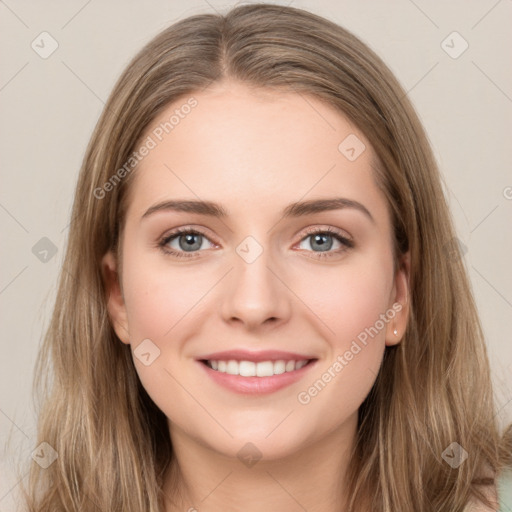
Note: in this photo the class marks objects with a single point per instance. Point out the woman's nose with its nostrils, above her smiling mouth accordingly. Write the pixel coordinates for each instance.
(255, 293)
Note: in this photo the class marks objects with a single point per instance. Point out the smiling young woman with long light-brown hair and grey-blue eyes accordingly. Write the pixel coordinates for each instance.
(261, 367)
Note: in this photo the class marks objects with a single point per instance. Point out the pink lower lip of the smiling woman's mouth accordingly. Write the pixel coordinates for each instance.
(256, 385)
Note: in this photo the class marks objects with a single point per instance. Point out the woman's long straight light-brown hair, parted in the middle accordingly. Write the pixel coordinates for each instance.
(433, 389)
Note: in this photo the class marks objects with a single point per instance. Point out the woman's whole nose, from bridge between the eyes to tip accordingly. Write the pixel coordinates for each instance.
(255, 294)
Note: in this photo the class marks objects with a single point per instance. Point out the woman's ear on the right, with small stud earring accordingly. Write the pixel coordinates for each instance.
(399, 302)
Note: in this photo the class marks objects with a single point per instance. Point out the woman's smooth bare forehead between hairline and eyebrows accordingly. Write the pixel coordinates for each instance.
(254, 148)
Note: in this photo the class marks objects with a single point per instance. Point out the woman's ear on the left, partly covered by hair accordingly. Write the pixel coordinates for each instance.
(115, 300)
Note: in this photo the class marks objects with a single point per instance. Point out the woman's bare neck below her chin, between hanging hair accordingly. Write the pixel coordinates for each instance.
(201, 479)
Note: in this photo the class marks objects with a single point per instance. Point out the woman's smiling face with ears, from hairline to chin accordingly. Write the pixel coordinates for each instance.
(318, 284)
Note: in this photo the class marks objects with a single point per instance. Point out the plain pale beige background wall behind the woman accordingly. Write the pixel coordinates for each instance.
(50, 106)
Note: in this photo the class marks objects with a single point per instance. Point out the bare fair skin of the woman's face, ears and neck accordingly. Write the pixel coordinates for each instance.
(255, 152)
